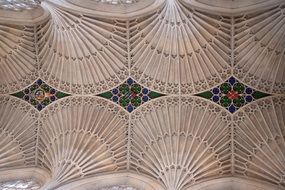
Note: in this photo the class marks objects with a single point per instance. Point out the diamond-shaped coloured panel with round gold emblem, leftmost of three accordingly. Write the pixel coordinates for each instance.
(40, 94)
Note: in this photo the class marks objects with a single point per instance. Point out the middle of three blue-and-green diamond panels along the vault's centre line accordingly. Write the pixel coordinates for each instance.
(130, 95)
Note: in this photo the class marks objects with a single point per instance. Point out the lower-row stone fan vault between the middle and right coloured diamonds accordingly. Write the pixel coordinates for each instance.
(180, 142)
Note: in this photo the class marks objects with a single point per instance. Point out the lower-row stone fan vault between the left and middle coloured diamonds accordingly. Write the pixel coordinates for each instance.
(82, 136)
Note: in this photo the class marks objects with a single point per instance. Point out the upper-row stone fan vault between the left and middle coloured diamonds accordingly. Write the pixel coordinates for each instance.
(94, 50)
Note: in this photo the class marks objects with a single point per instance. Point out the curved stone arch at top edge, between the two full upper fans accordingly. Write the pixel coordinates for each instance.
(120, 9)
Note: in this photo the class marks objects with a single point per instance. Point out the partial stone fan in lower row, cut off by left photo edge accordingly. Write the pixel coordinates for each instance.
(17, 136)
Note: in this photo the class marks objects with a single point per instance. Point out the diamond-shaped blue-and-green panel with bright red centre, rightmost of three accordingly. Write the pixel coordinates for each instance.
(232, 94)
